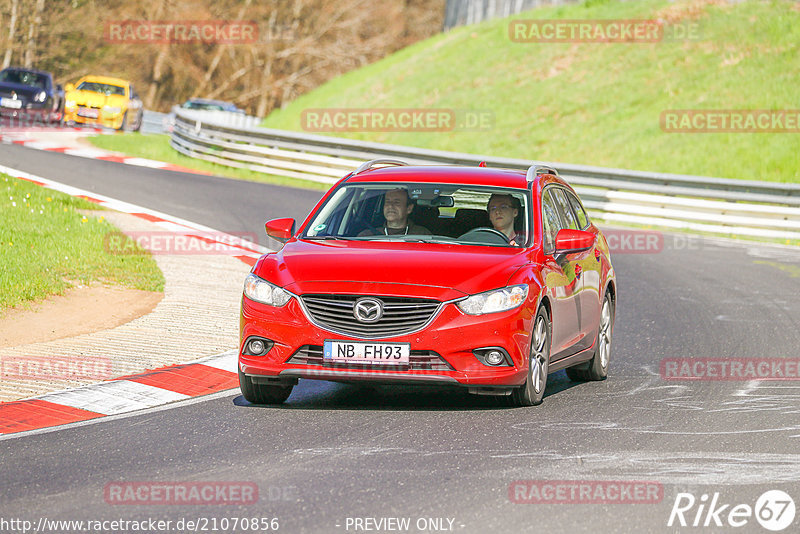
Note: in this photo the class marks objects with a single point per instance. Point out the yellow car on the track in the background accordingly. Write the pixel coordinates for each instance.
(105, 101)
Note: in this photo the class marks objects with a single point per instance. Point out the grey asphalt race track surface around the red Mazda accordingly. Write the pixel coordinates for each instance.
(341, 458)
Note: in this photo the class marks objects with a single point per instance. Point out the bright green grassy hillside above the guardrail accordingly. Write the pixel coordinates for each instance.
(596, 103)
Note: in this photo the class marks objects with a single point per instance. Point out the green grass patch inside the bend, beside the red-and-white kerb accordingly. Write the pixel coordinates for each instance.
(46, 244)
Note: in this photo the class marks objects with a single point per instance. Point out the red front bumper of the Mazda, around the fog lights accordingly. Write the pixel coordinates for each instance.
(451, 334)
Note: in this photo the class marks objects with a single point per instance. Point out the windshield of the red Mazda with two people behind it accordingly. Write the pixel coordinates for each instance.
(426, 212)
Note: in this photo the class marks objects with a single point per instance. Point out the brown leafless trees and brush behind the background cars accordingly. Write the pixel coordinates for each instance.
(301, 44)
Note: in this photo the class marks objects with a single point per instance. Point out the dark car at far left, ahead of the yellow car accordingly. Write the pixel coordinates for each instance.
(31, 94)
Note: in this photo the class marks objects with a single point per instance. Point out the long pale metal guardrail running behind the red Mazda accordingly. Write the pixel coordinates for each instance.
(721, 206)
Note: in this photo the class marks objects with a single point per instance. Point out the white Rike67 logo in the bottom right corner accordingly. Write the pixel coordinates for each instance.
(774, 510)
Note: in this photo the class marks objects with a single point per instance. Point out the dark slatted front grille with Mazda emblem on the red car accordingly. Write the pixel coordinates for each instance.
(400, 315)
